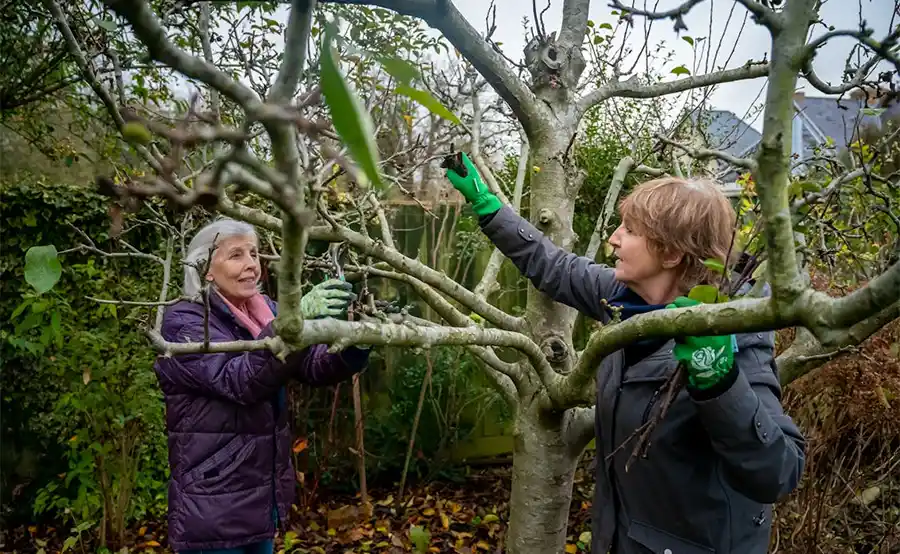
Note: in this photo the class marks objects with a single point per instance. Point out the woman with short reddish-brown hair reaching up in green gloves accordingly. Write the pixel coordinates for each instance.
(725, 452)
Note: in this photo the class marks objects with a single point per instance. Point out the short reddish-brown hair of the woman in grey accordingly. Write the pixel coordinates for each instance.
(692, 217)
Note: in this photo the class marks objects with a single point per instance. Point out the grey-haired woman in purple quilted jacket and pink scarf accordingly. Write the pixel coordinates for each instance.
(229, 442)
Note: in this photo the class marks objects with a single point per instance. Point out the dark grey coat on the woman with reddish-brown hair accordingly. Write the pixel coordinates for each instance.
(715, 465)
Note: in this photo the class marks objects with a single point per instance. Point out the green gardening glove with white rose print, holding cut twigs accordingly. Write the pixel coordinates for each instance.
(708, 359)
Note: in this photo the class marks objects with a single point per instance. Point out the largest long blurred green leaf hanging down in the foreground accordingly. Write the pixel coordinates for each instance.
(349, 116)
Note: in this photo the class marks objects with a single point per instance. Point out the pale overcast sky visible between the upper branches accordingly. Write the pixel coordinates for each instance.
(753, 43)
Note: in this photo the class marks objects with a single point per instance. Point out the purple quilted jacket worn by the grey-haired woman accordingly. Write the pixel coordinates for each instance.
(229, 440)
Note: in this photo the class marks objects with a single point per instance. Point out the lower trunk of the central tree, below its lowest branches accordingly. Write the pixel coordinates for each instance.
(543, 472)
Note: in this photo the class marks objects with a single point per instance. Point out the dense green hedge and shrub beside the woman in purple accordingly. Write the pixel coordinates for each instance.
(83, 422)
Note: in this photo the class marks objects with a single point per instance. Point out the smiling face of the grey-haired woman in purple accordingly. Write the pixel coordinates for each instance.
(235, 267)
